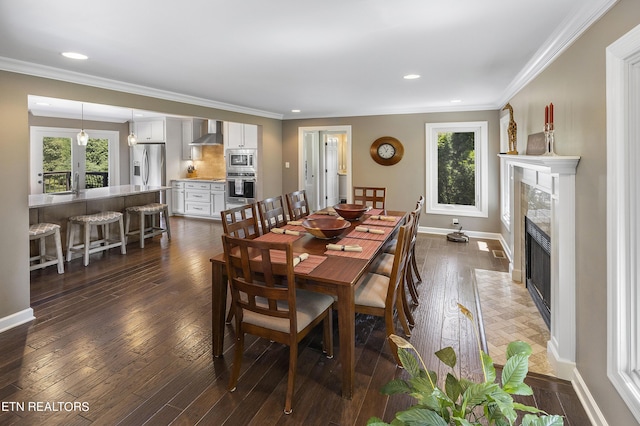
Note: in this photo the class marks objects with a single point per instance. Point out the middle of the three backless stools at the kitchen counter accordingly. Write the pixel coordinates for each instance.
(103, 242)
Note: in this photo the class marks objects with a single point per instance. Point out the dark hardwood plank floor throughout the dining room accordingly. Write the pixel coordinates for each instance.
(128, 340)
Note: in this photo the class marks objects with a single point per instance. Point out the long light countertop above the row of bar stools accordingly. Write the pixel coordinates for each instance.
(45, 200)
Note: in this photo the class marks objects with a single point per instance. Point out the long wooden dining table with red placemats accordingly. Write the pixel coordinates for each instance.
(330, 271)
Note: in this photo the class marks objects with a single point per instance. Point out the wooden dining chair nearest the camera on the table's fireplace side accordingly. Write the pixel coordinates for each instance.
(381, 295)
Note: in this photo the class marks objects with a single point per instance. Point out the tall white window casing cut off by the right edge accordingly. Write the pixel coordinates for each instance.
(623, 209)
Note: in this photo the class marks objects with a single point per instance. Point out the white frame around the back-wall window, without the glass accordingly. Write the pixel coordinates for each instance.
(481, 138)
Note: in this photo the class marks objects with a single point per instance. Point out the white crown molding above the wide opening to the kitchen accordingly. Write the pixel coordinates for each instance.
(37, 70)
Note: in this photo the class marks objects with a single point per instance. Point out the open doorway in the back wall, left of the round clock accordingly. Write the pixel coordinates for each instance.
(325, 164)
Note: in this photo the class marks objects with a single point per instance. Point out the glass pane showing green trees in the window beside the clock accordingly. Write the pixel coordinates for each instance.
(456, 168)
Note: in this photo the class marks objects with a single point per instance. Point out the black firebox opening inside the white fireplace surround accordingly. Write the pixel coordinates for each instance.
(538, 268)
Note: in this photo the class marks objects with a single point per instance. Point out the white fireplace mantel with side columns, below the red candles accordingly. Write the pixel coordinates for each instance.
(556, 176)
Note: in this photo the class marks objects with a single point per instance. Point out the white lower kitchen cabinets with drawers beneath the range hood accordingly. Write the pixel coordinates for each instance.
(191, 197)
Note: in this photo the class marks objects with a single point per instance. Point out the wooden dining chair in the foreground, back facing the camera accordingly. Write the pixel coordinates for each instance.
(280, 313)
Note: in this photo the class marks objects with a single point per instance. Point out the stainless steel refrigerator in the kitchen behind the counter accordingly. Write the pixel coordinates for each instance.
(148, 164)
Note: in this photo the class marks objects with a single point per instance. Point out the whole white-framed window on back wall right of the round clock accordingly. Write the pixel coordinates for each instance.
(457, 165)
